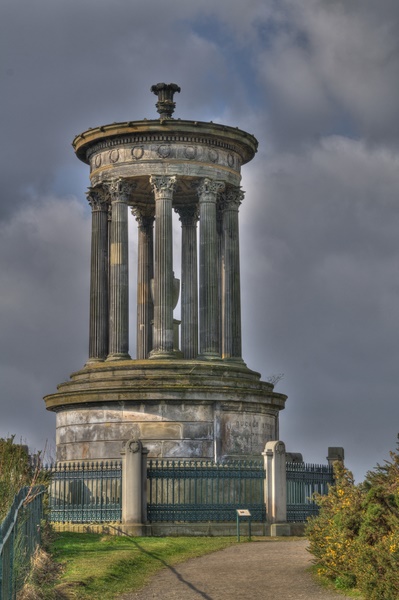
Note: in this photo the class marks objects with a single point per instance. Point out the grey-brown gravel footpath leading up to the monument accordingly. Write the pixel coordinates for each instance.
(260, 570)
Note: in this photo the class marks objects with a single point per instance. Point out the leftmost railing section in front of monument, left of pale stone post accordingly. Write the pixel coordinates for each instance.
(85, 492)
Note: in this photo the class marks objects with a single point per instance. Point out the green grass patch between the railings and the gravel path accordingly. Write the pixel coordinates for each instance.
(98, 566)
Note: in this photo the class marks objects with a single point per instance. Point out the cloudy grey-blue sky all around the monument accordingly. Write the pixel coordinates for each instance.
(317, 82)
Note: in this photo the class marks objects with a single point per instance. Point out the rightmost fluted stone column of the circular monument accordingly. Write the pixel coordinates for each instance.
(231, 296)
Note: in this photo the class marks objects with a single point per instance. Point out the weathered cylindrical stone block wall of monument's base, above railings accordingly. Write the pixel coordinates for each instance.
(166, 429)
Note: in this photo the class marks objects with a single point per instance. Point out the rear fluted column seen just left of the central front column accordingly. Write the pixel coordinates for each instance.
(145, 273)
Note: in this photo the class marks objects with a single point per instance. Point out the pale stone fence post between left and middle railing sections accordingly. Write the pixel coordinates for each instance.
(132, 484)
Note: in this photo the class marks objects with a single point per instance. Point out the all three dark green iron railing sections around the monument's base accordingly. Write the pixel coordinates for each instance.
(181, 490)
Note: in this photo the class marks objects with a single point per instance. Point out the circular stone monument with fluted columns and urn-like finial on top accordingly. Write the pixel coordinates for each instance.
(190, 399)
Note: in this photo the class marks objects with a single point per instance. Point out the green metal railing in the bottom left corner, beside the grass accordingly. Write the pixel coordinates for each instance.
(19, 537)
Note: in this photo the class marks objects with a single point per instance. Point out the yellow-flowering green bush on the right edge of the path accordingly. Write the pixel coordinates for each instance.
(355, 538)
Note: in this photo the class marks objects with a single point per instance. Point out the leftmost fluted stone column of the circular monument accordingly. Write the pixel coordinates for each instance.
(98, 327)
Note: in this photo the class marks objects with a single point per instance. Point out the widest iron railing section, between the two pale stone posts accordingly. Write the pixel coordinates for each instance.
(201, 490)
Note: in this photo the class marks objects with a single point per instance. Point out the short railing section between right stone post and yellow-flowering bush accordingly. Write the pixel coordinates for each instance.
(303, 481)
